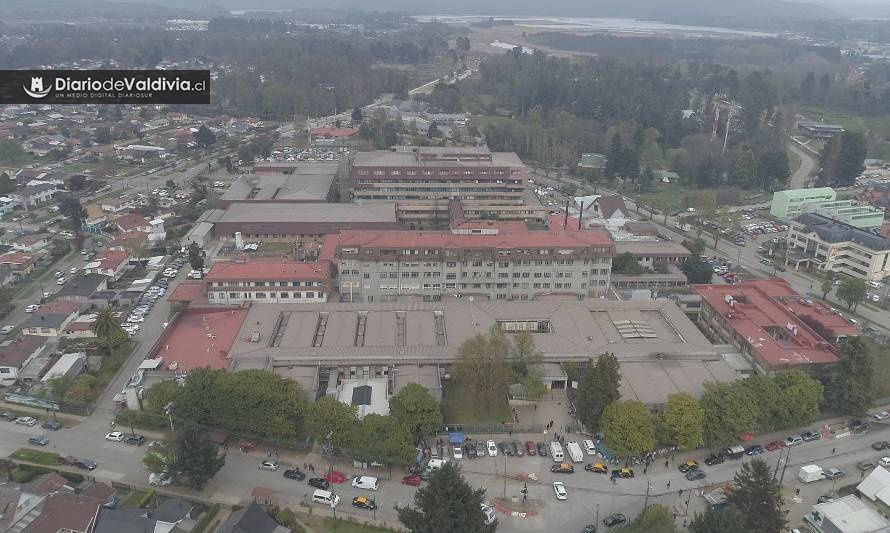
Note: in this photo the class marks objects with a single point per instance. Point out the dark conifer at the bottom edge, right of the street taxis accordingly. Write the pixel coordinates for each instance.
(758, 497)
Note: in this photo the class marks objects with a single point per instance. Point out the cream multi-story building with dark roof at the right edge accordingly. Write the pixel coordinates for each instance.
(832, 246)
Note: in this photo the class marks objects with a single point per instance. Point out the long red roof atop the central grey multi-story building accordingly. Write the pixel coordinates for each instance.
(505, 240)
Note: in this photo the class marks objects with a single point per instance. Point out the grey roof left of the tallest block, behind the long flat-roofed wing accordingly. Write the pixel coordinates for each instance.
(309, 181)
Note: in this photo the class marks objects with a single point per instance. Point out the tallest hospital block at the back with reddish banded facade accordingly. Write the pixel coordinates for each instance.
(423, 180)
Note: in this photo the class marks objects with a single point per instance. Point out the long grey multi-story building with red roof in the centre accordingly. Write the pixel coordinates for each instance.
(514, 264)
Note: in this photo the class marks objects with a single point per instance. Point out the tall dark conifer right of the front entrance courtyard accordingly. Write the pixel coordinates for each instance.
(597, 389)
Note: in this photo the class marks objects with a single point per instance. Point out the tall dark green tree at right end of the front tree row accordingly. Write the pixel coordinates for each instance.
(851, 387)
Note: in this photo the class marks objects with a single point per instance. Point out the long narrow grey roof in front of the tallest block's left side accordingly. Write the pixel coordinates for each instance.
(319, 213)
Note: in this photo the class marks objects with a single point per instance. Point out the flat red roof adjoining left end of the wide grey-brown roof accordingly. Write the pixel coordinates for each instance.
(200, 338)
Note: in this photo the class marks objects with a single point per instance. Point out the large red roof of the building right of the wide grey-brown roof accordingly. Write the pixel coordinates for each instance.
(764, 313)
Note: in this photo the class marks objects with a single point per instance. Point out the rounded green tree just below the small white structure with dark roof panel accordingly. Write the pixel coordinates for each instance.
(384, 439)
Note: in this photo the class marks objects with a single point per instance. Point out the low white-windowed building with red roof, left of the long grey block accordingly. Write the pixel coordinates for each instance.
(269, 281)
